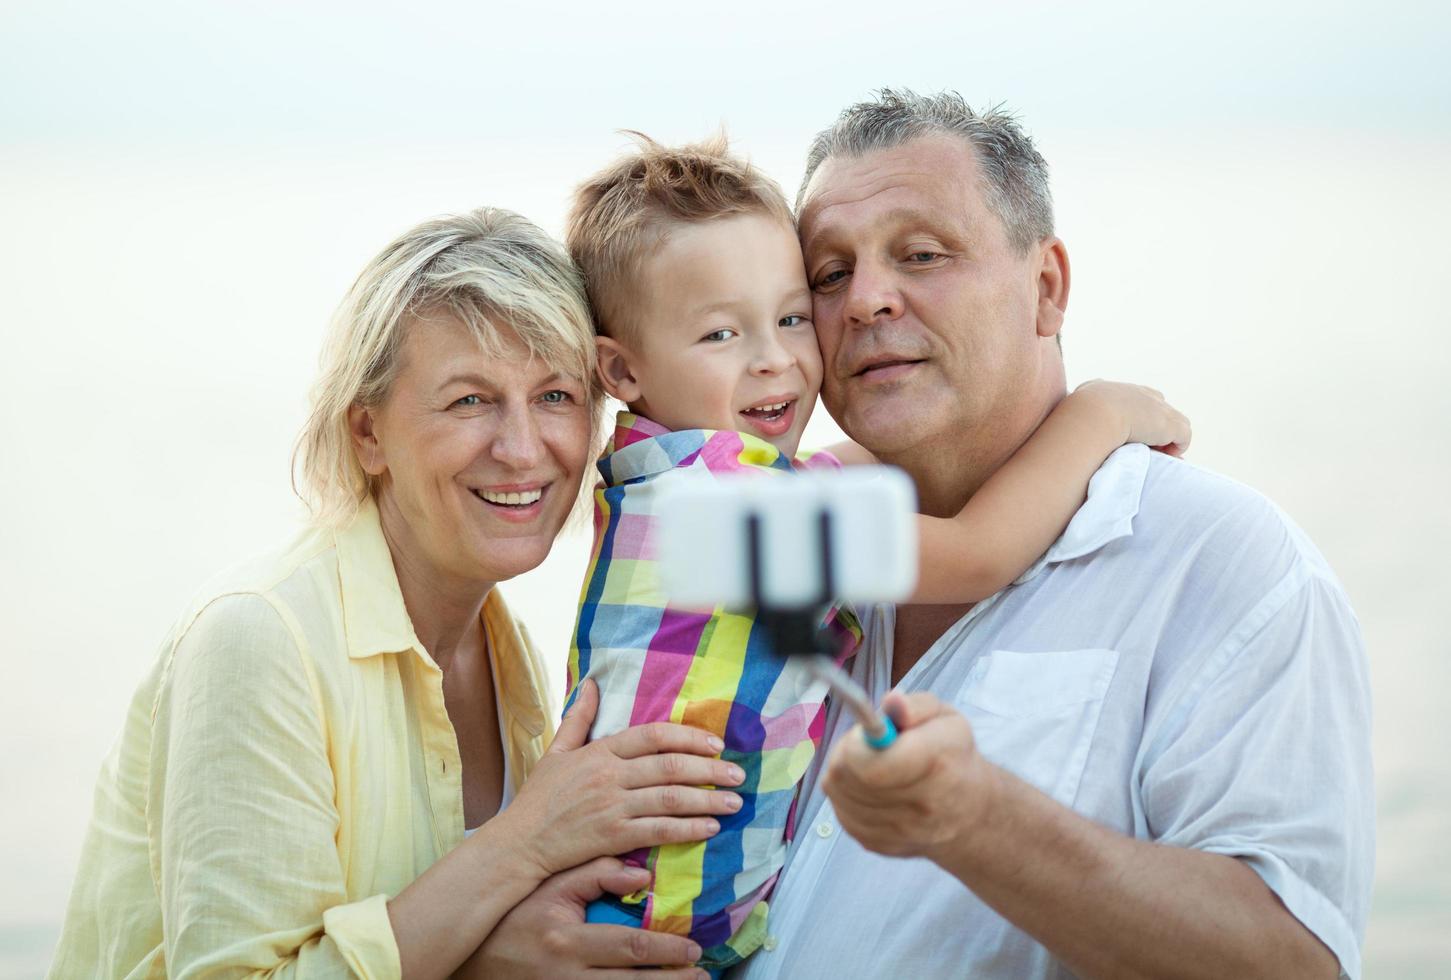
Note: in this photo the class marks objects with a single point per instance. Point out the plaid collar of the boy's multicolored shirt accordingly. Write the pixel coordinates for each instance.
(641, 449)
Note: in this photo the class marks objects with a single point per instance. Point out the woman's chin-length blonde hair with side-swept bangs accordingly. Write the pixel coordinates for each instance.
(491, 271)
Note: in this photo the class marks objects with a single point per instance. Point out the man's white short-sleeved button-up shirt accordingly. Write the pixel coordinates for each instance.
(1180, 667)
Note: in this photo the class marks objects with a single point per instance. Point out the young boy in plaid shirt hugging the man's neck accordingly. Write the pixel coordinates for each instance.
(704, 320)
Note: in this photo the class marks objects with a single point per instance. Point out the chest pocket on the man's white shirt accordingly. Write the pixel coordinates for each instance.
(1035, 714)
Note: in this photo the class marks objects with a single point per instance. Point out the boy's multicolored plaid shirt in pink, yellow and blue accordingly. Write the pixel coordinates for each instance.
(716, 671)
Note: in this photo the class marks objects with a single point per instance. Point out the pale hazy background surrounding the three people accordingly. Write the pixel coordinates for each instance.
(1254, 197)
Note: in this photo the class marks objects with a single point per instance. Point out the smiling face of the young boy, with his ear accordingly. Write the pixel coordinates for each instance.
(722, 336)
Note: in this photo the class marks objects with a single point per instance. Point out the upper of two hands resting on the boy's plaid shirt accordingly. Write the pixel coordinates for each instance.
(632, 791)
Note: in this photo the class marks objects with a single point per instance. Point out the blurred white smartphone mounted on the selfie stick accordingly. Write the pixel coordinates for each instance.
(792, 542)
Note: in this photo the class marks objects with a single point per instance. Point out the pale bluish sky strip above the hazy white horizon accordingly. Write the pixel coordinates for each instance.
(186, 72)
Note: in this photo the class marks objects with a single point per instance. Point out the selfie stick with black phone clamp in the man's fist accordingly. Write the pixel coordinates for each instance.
(794, 634)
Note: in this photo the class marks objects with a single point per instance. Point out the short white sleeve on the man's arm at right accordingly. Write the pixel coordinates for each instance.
(1267, 759)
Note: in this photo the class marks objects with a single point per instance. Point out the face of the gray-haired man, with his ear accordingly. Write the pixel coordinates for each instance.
(928, 317)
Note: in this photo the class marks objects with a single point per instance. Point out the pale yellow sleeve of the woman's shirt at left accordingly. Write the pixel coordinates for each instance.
(242, 815)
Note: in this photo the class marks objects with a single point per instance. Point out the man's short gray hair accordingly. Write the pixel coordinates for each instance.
(1015, 173)
